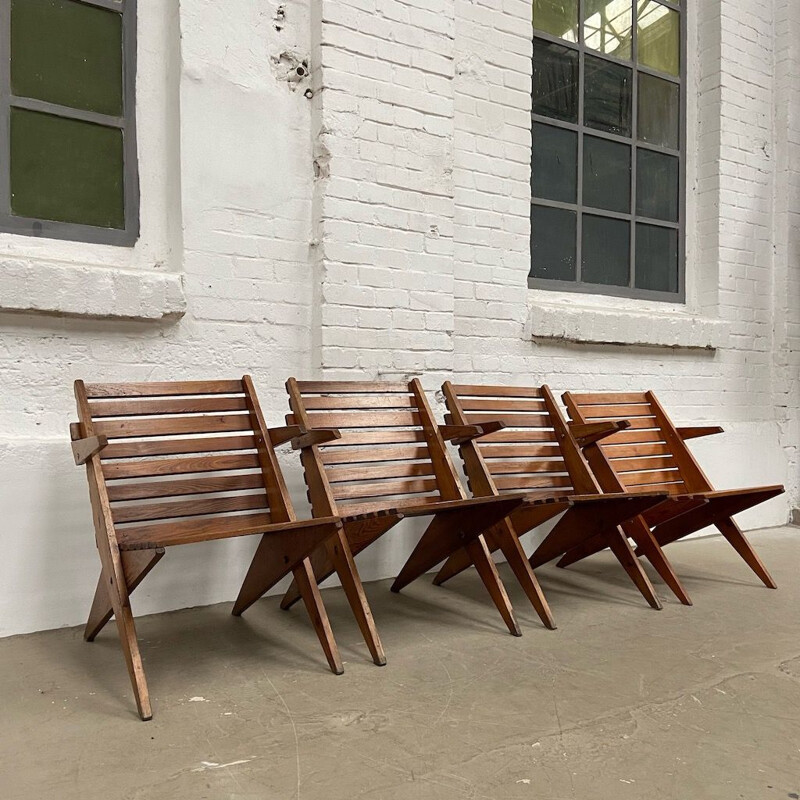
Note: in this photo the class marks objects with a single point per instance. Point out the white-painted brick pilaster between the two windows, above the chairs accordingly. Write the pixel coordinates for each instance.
(386, 222)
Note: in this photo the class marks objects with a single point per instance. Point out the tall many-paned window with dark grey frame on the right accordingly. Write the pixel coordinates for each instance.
(607, 167)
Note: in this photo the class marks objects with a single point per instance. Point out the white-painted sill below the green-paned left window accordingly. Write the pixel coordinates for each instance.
(51, 287)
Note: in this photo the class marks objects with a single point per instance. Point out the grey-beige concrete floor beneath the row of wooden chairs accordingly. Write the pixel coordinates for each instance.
(620, 702)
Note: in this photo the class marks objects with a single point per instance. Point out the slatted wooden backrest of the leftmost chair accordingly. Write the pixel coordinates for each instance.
(185, 461)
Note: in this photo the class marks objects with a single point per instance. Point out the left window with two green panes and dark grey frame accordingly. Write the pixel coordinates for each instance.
(67, 119)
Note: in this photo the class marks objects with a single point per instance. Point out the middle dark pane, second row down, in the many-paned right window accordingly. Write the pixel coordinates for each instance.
(607, 96)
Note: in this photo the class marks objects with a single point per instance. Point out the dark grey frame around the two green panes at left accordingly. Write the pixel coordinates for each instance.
(73, 231)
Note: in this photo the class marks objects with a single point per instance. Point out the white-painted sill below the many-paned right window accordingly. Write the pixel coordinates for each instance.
(644, 327)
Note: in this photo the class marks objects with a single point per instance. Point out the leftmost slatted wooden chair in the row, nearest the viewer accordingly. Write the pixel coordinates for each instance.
(178, 463)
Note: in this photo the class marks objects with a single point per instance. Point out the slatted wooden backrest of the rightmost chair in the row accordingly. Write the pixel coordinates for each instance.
(650, 455)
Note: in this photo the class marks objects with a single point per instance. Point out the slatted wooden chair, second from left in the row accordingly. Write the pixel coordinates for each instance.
(391, 462)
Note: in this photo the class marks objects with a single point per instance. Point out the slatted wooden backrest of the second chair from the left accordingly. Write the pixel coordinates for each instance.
(390, 455)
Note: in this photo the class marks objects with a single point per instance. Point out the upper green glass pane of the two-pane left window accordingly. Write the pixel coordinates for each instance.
(67, 53)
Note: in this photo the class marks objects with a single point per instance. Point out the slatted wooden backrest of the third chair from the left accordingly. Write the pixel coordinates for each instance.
(533, 453)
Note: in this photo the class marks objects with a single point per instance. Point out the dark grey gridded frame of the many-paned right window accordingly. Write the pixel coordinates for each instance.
(629, 291)
